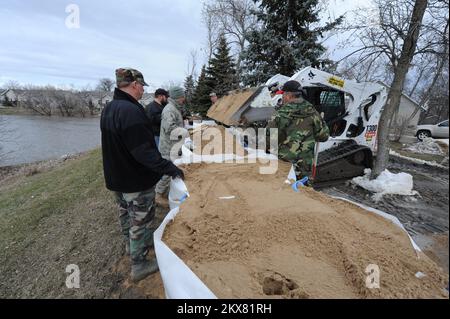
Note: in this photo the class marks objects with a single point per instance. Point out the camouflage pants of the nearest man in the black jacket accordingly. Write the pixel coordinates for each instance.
(136, 214)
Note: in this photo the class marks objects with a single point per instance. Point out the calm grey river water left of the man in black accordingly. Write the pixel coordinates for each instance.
(26, 139)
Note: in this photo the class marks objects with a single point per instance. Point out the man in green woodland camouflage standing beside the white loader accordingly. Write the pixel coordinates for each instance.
(300, 126)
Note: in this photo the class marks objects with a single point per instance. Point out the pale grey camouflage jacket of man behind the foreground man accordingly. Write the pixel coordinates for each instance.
(171, 119)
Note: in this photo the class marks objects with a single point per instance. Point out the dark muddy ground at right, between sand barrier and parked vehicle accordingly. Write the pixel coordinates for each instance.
(425, 217)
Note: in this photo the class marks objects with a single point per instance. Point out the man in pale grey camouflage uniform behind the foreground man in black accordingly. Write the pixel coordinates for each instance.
(171, 124)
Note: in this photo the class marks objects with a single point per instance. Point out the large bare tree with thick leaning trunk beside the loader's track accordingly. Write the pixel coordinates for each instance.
(401, 36)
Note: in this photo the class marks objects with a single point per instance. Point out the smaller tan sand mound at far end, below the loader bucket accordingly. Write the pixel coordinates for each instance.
(212, 140)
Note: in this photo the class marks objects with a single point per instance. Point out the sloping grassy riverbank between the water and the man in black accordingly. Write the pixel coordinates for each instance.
(55, 214)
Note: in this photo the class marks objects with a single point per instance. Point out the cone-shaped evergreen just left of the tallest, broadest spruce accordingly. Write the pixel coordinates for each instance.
(222, 70)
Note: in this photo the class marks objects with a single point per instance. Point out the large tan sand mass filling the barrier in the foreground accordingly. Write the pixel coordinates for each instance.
(271, 242)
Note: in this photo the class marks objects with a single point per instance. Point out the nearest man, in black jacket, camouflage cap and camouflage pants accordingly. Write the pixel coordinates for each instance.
(132, 166)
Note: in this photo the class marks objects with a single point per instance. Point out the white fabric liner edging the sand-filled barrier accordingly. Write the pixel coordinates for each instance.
(180, 282)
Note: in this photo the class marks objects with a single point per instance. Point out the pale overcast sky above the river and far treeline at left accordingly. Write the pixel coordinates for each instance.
(155, 37)
